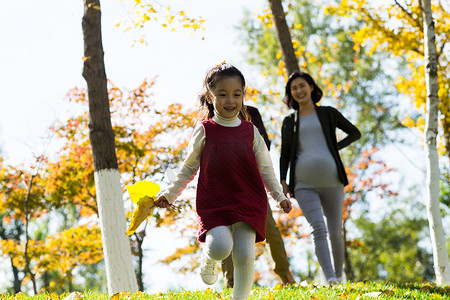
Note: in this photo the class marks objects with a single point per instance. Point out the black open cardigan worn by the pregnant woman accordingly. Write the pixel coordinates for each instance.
(330, 119)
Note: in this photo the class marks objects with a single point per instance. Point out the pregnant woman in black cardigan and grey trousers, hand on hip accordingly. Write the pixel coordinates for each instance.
(310, 150)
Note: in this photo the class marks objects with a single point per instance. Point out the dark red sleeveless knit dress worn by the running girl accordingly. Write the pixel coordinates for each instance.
(230, 188)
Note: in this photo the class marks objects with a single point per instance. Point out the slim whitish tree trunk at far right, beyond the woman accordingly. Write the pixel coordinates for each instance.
(440, 255)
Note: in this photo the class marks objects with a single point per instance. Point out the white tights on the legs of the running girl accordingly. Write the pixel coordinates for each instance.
(240, 239)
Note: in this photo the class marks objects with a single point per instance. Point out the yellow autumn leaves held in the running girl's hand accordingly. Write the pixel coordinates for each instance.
(142, 193)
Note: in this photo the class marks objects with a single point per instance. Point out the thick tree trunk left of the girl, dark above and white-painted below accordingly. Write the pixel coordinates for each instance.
(116, 245)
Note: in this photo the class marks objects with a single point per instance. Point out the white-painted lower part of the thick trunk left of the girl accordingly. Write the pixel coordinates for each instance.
(116, 245)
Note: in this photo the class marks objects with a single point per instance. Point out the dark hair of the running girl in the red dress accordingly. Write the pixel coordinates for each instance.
(212, 77)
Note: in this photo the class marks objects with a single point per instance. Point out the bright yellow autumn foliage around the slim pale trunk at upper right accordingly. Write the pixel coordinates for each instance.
(396, 27)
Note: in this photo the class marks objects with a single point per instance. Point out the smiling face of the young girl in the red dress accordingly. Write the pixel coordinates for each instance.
(227, 96)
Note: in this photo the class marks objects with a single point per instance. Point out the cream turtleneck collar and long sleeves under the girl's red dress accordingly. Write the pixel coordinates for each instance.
(191, 163)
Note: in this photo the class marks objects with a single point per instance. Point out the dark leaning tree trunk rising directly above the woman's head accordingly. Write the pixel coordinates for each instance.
(284, 37)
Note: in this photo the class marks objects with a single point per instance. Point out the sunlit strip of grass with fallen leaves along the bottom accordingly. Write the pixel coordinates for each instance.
(353, 290)
